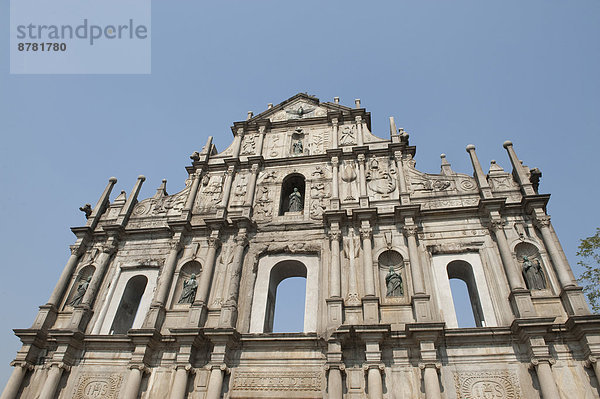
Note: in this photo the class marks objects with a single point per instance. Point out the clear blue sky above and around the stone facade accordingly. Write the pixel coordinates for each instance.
(451, 73)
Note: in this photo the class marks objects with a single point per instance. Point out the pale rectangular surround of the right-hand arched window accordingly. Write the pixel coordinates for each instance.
(466, 267)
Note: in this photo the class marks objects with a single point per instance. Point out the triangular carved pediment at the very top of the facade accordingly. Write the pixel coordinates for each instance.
(300, 106)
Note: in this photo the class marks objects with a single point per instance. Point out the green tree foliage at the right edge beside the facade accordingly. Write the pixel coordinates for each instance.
(589, 250)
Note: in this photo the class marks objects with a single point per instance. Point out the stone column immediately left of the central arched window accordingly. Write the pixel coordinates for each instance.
(228, 315)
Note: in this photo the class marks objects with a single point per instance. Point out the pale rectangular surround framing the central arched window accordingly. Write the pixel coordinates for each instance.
(286, 265)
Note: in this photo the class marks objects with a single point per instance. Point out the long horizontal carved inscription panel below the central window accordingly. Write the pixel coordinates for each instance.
(278, 381)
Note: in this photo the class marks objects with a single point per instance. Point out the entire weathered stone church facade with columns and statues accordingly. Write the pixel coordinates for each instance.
(173, 296)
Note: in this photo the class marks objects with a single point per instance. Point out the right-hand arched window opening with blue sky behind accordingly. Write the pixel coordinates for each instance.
(463, 293)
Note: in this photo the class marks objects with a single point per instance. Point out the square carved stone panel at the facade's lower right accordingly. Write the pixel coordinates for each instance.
(487, 385)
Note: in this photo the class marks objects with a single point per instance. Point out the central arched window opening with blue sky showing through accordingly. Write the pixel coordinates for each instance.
(288, 303)
